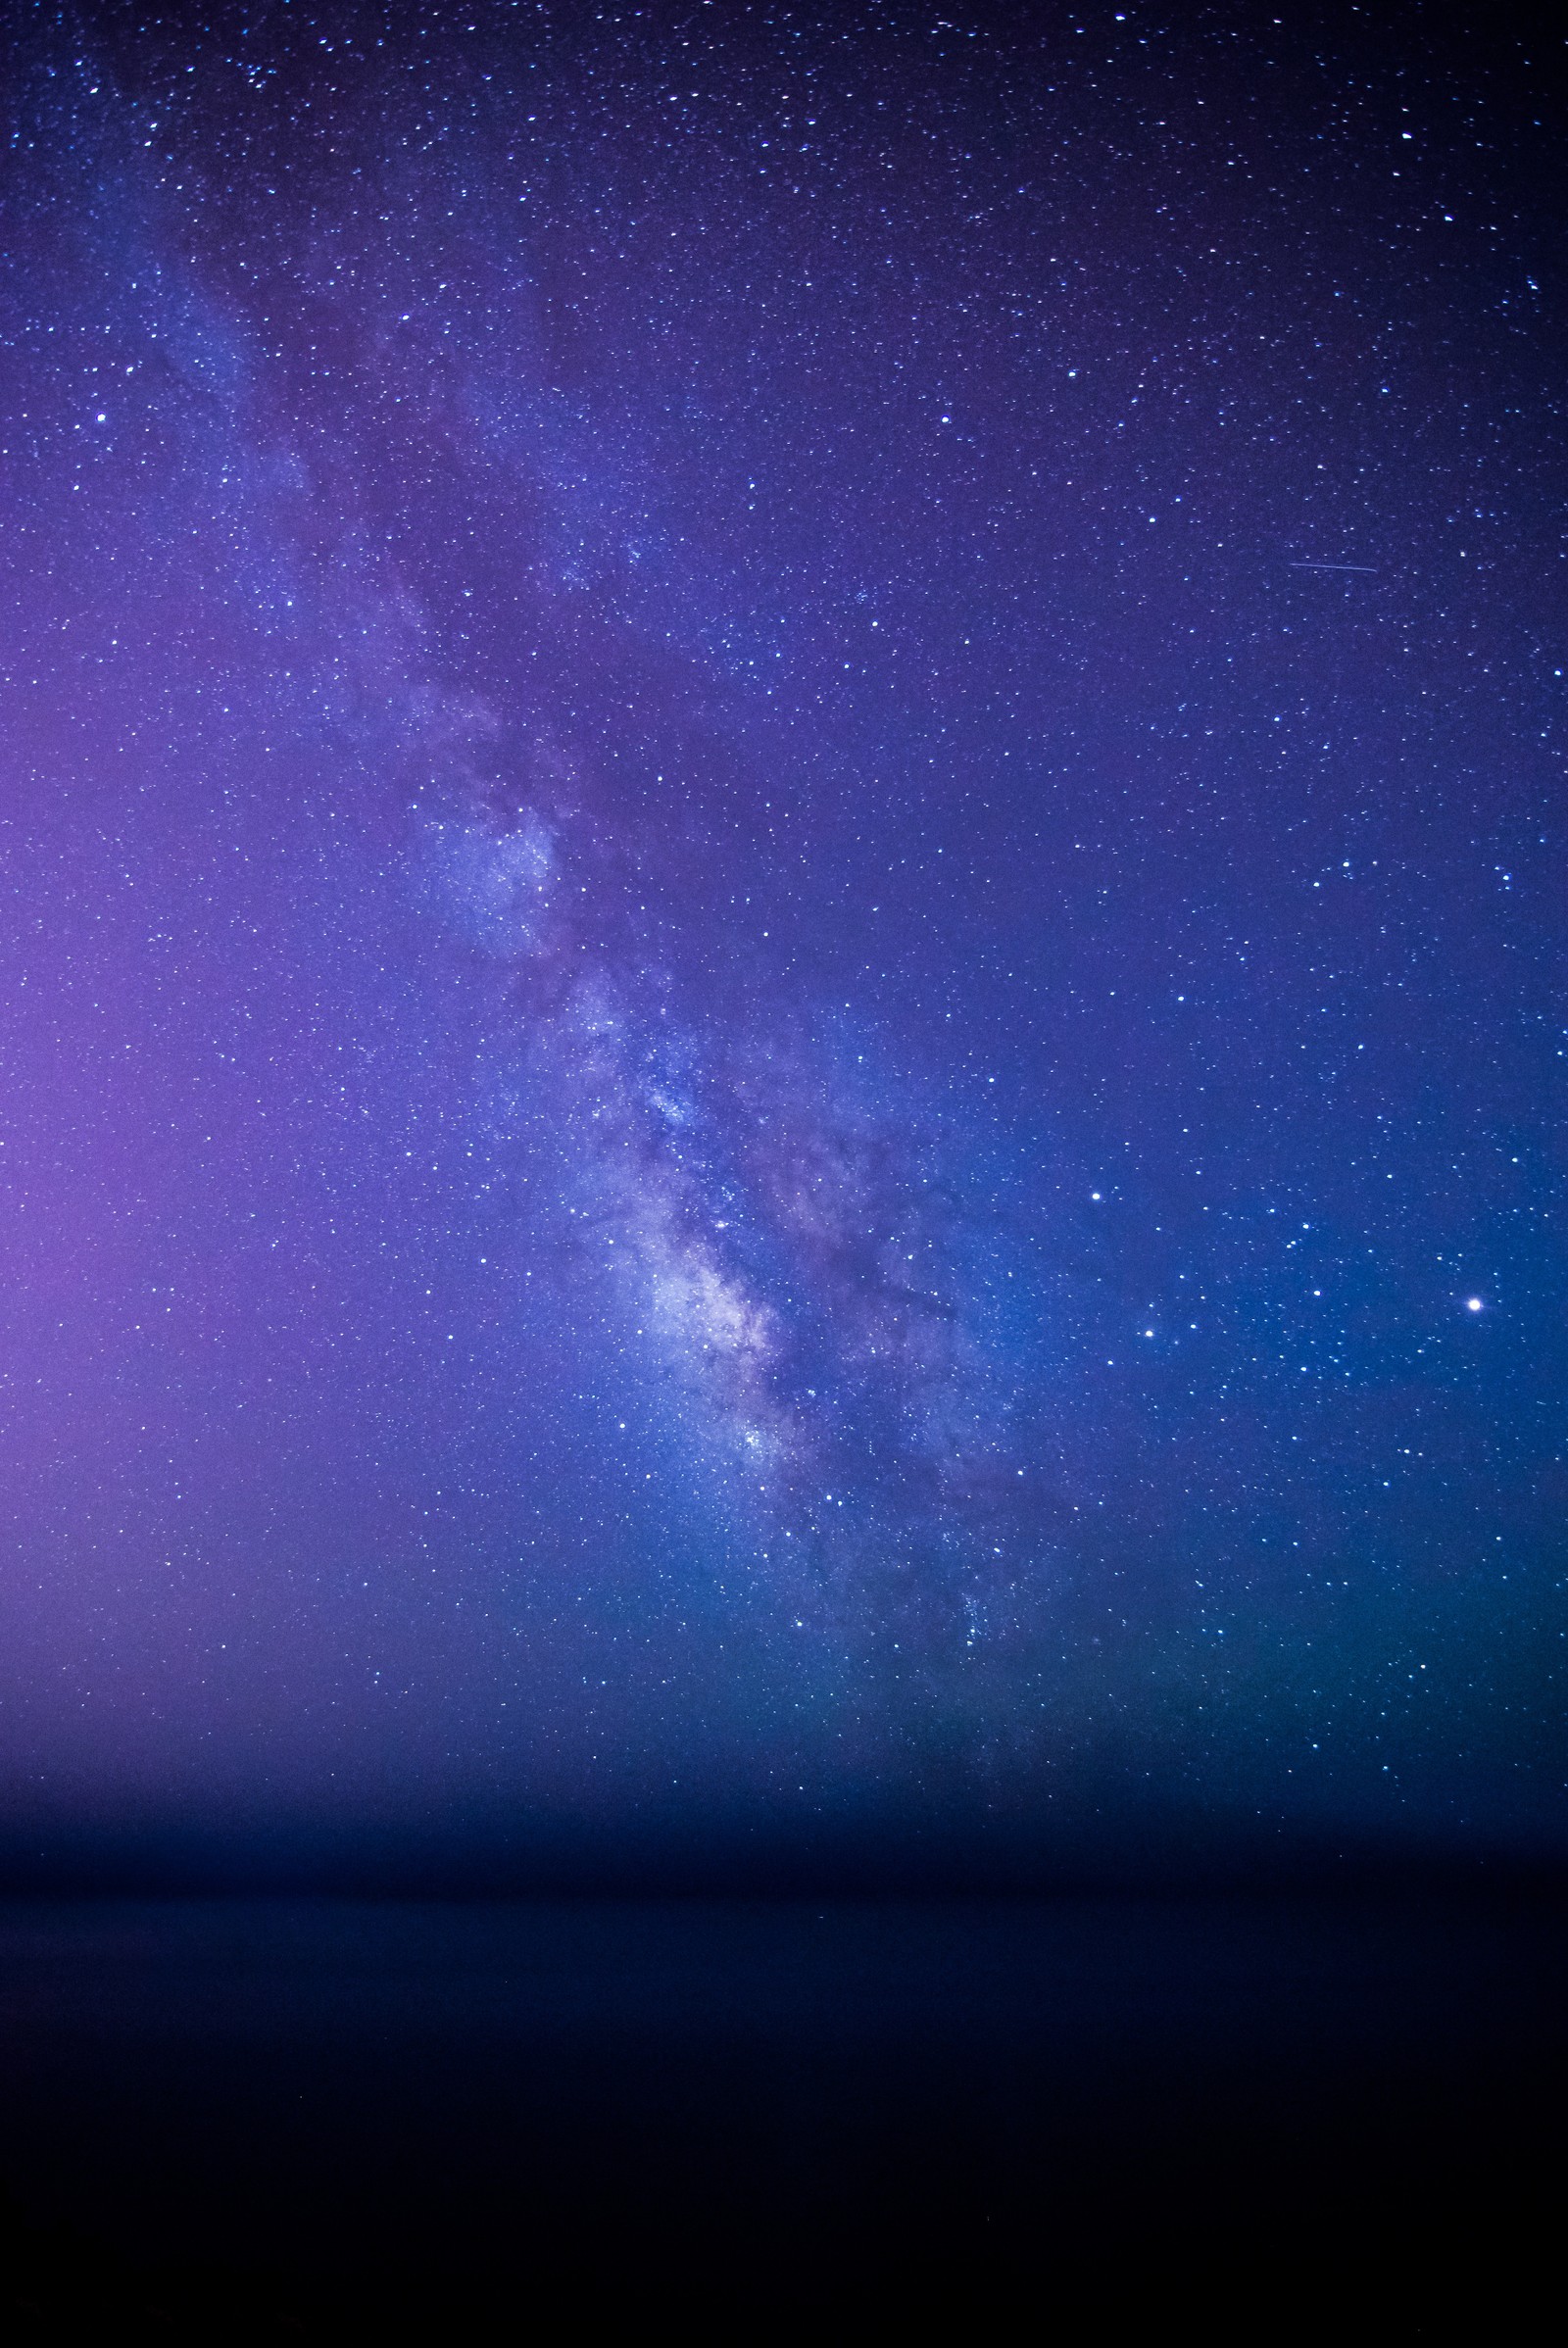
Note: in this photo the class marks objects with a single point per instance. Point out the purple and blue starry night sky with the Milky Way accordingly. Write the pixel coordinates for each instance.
(780, 863)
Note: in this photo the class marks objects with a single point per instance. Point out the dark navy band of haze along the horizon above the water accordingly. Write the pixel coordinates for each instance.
(1100, 1854)
